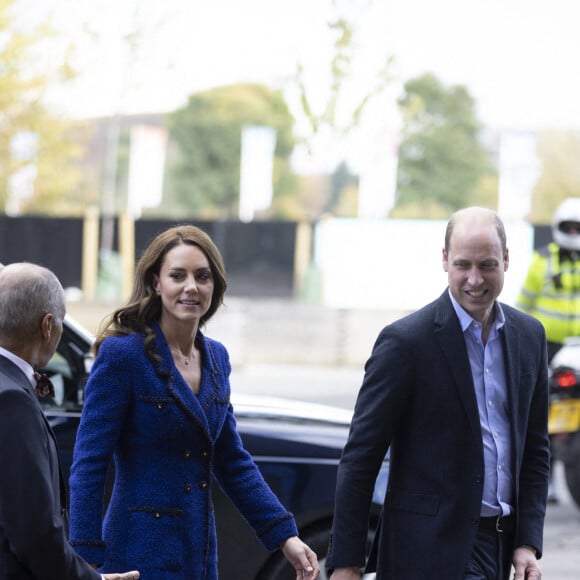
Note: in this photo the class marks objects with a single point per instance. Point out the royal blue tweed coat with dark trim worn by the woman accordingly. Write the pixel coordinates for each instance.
(167, 444)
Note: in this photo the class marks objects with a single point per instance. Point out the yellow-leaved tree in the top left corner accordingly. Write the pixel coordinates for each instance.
(39, 176)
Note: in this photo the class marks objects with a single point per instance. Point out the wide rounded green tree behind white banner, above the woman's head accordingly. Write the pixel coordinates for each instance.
(203, 164)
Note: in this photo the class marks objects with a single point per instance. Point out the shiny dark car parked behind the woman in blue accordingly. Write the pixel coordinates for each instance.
(296, 445)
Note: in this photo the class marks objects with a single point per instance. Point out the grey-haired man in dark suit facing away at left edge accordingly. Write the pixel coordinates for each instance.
(33, 521)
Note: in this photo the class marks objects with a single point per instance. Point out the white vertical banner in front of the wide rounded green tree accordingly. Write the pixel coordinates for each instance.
(256, 169)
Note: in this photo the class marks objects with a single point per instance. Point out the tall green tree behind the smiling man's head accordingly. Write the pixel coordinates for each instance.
(442, 162)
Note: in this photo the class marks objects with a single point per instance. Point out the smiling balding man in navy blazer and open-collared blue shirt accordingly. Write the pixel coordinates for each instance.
(457, 391)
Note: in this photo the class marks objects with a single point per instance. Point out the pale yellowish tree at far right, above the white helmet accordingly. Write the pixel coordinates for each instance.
(559, 152)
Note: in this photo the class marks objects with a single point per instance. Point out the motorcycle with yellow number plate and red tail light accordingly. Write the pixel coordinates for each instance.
(564, 417)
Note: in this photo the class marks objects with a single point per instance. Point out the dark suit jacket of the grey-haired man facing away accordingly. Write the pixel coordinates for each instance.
(33, 543)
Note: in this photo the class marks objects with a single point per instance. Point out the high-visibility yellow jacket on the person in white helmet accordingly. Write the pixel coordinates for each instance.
(551, 293)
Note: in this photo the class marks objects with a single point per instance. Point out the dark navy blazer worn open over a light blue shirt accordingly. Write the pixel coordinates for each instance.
(418, 399)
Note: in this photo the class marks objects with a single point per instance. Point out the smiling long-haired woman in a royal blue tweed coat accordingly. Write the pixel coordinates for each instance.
(158, 402)
